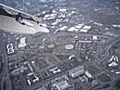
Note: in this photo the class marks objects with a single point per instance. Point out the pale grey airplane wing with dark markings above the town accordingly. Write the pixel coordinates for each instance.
(15, 21)
